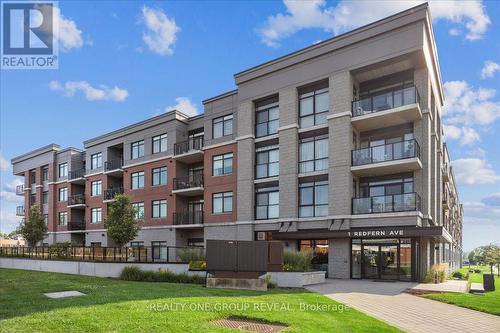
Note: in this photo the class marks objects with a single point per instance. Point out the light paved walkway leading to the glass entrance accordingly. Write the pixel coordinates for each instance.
(388, 302)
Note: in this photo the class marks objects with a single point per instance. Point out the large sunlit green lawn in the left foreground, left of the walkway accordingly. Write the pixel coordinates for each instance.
(125, 306)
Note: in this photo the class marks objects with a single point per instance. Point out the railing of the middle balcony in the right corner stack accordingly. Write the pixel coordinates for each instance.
(389, 152)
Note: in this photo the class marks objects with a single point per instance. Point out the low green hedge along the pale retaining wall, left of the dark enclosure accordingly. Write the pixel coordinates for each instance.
(132, 273)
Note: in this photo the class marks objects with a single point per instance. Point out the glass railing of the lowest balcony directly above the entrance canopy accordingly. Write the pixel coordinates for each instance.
(386, 204)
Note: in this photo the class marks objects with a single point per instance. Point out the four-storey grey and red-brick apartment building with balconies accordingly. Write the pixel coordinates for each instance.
(336, 148)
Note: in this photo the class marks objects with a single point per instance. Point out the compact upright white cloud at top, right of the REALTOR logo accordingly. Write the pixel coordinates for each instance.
(162, 31)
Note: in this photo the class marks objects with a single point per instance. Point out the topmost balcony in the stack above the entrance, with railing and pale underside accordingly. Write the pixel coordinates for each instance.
(389, 108)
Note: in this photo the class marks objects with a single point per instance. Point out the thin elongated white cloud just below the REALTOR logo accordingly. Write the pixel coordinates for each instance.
(102, 92)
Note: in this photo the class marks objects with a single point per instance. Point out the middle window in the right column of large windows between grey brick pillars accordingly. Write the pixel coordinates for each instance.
(313, 154)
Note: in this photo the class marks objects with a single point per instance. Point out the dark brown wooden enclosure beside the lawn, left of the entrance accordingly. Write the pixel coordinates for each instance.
(243, 259)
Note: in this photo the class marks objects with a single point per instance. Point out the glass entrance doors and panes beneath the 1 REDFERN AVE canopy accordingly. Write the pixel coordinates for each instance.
(384, 259)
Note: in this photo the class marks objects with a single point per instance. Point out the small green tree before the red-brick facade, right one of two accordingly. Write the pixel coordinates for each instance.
(120, 222)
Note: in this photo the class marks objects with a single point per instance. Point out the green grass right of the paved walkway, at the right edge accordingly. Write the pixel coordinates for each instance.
(489, 302)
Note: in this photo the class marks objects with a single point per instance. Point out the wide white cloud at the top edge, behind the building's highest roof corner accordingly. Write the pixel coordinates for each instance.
(347, 15)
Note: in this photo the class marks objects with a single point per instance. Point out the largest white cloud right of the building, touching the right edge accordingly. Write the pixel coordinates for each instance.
(466, 105)
